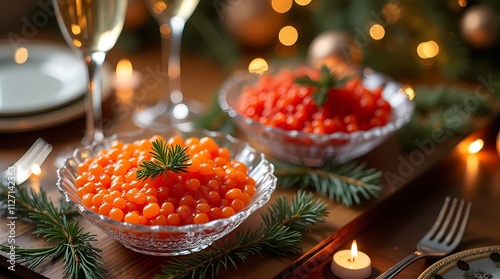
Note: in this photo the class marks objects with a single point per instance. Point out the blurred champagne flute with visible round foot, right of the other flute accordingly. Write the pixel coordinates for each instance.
(171, 109)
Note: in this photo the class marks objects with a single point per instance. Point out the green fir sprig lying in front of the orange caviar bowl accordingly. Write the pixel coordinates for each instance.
(280, 235)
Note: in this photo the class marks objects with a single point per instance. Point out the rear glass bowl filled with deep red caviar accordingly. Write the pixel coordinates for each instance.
(285, 118)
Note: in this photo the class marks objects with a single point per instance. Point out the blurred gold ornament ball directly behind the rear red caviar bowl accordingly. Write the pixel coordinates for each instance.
(332, 47)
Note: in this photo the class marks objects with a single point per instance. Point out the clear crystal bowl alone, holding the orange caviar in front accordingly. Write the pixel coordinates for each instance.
(171, 240)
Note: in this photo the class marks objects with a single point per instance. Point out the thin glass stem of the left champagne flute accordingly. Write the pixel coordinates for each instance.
(94, 130)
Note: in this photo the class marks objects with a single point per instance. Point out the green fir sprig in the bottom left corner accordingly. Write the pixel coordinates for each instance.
(80, 258)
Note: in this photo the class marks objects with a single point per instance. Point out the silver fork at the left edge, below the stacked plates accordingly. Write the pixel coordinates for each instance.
(21, 170)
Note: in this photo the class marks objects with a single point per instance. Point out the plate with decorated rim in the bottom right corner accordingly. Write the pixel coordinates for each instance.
(475, 263)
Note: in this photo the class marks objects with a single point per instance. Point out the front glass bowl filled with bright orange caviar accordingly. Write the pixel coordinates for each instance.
(226, 180)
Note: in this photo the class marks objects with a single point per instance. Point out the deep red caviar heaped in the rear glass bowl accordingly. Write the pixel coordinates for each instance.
(280, 102)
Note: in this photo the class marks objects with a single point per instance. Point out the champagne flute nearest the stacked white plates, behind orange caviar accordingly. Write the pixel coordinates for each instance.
(92, 28)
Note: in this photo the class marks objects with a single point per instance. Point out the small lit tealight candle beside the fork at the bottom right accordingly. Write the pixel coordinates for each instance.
(351, 264)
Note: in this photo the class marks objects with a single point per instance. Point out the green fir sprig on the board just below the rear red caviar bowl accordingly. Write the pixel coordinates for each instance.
(340, 182)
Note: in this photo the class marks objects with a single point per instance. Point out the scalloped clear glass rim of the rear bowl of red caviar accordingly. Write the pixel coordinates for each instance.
(402, 112)
